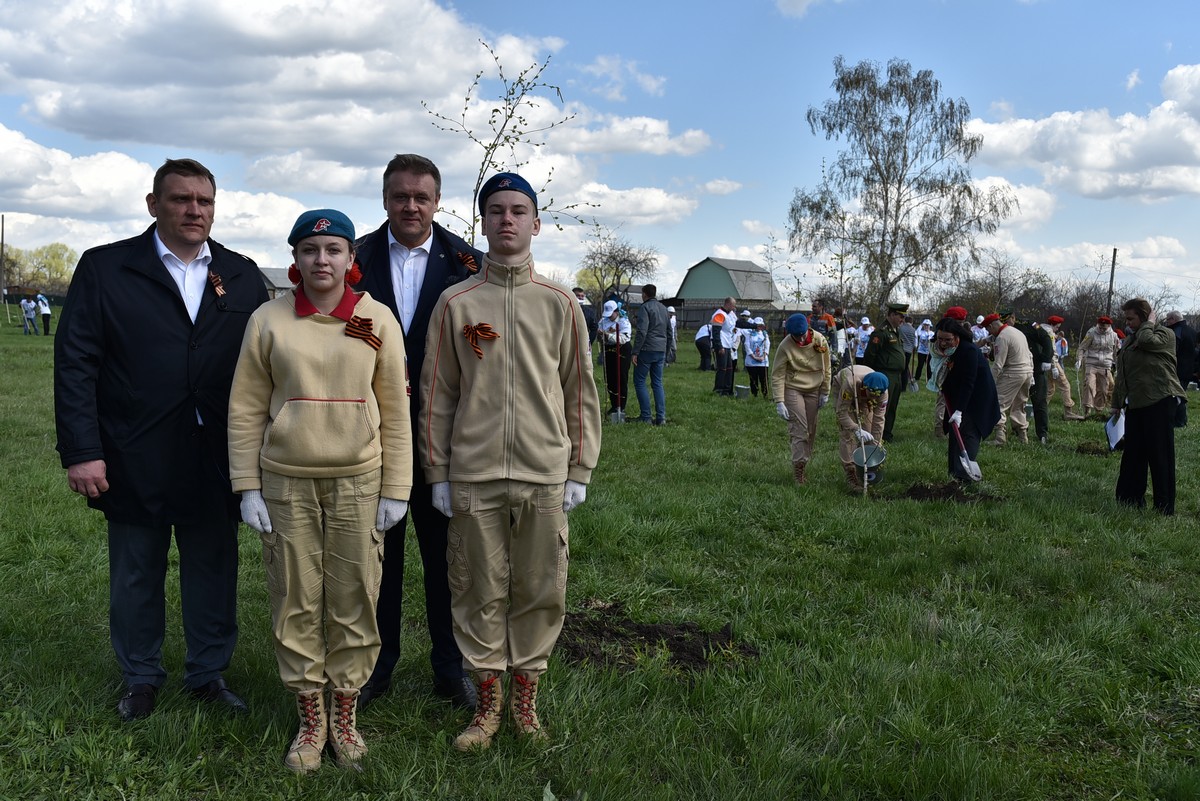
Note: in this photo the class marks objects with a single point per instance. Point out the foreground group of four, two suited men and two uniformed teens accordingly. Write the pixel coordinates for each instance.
(301, 417)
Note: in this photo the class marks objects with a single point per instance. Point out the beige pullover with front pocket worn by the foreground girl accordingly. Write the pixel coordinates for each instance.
(309, 401)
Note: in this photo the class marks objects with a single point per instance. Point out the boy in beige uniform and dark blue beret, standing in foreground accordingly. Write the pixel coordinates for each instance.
(509, 436)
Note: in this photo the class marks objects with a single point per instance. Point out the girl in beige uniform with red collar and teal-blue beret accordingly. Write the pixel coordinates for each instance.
(321, 451)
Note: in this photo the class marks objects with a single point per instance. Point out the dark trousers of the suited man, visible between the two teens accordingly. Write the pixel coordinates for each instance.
(431, 527)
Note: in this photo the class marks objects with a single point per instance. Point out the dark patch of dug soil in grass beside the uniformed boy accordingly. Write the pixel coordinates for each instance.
(603, 635)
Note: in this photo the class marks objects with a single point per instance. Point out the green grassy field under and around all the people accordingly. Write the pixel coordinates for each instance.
(1037, 643)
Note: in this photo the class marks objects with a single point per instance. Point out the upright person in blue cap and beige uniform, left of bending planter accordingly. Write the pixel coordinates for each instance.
(800, 387)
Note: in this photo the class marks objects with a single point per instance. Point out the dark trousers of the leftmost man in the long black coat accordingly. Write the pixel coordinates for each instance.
(137, 600)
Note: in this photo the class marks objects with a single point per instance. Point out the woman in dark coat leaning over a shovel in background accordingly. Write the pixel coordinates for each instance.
(970, 393)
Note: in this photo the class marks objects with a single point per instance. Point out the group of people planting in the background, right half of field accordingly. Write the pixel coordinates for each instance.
(983, 384)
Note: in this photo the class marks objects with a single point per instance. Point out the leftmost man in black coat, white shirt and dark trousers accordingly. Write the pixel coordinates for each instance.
(143, 363)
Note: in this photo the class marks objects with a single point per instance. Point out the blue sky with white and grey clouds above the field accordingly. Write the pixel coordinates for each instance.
(687, 129)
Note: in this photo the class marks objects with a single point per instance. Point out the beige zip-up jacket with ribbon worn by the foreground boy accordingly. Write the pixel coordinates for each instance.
(507, 390)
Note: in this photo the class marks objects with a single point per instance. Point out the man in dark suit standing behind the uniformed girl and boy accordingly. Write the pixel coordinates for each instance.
(406, 264)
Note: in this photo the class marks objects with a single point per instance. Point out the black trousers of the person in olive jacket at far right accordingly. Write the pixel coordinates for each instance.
(1149, 445)
